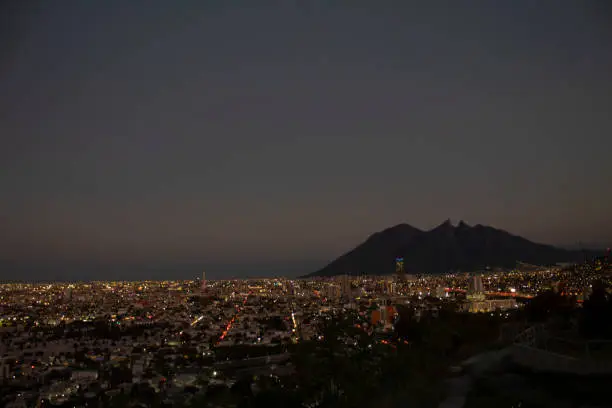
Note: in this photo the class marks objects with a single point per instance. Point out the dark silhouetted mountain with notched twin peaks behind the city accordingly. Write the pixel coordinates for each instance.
(444, 248)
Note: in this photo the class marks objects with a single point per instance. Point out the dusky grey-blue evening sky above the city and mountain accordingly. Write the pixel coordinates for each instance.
(162, 138)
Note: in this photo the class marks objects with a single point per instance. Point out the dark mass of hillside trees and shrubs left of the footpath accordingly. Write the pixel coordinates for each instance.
(348, 368)
